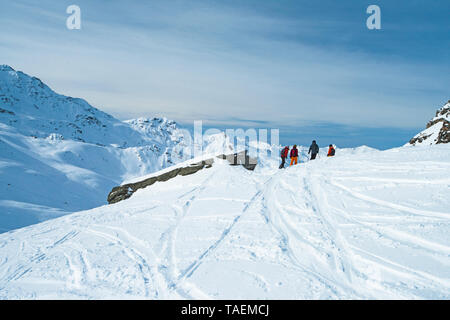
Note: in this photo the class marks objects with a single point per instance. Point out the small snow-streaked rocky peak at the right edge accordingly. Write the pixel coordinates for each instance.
(437, 130)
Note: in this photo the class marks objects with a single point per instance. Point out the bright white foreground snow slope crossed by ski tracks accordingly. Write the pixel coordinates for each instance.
(367, 224)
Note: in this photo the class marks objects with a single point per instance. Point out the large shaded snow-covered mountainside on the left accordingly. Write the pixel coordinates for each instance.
(59, 154)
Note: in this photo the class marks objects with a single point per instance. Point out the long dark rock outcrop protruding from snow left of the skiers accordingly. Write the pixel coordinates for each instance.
(125, 191)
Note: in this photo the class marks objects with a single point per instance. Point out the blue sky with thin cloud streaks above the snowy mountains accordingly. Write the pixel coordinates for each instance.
(310, 68)
